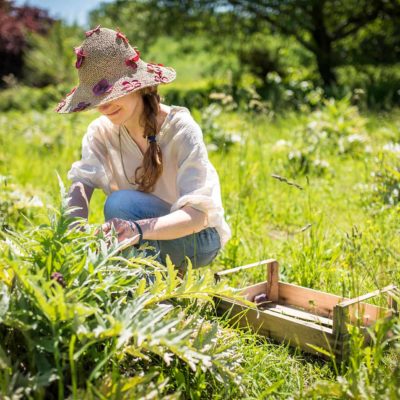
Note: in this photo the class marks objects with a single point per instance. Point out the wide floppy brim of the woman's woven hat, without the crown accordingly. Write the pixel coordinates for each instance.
(84, 98)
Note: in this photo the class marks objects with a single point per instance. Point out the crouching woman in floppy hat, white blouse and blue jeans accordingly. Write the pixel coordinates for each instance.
(149, 158)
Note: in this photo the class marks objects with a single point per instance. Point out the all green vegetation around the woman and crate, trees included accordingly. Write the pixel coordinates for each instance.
(310, 175)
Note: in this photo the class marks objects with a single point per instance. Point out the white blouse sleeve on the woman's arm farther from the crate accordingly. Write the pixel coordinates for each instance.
(91, 169)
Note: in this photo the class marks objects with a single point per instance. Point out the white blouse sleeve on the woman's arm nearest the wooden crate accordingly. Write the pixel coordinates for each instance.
(197, 180)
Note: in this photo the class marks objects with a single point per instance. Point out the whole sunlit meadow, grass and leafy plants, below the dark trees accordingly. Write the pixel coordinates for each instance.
(317, 190)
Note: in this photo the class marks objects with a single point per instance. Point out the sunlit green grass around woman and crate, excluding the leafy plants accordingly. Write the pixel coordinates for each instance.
(349, 245)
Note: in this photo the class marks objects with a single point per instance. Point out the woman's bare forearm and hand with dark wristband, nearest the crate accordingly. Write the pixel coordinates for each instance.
(179, 223)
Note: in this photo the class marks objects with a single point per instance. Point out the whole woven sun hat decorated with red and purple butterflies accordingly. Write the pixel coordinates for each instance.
(109, 68)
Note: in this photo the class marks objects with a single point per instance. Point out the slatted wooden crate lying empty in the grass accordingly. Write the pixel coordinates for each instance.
(304, 317)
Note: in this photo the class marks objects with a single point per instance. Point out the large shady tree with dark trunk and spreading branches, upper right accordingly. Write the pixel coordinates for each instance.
(328, 29)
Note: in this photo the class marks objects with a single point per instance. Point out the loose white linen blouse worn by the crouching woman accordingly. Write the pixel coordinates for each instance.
(188, 177)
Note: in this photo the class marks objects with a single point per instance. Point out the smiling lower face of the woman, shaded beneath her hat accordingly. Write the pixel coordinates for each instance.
(122, 109)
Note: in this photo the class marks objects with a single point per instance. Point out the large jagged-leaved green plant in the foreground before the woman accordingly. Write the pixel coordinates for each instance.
(80, 317)
